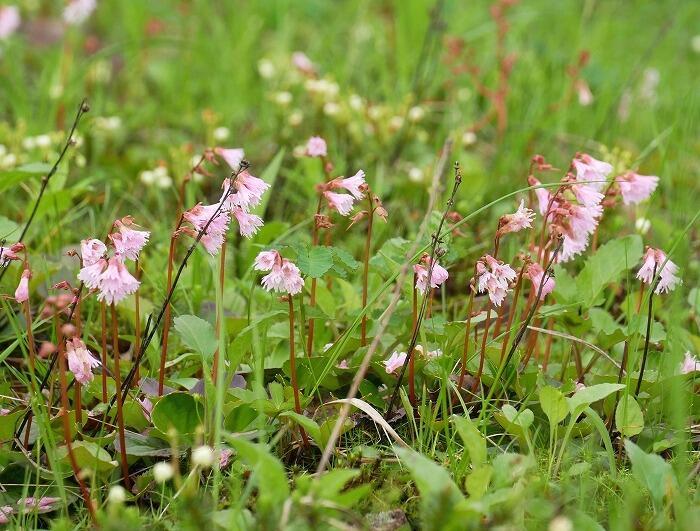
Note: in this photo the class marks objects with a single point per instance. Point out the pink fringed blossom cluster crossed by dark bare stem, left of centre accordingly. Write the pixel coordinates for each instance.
(241, 193)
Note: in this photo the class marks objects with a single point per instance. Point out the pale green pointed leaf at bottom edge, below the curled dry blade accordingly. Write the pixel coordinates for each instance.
(439, 494)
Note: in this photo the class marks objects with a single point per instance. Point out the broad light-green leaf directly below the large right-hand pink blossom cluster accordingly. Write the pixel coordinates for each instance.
(606, 266)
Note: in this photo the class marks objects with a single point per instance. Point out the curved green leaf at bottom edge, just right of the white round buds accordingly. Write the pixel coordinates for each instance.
(268, 475)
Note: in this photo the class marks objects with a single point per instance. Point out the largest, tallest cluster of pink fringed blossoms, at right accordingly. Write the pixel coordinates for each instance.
(575, 215)
